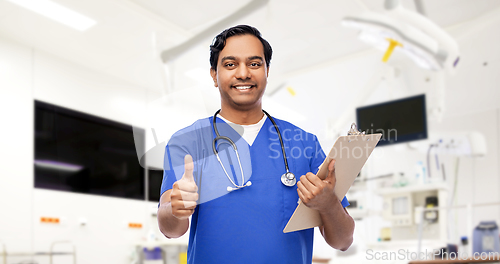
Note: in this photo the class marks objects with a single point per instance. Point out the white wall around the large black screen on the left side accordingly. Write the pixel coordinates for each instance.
(26, 75)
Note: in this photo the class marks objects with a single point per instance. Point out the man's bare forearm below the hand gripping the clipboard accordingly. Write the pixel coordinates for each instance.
(338, 227)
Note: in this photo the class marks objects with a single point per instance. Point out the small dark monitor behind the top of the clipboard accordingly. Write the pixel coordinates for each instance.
(399, 121)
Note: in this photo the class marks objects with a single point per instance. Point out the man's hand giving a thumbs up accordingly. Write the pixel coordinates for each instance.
(184, 192)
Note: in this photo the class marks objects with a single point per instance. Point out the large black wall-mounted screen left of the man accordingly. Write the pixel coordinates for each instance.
(81, 153)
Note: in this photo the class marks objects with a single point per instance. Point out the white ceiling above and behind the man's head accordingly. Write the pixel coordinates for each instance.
(130, 34)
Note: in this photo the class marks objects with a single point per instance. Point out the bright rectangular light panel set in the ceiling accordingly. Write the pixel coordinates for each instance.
(58, 13)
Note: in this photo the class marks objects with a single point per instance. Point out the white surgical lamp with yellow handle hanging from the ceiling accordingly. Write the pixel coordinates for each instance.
(401, 30)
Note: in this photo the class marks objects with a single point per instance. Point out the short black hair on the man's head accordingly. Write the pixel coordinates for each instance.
(219, 43)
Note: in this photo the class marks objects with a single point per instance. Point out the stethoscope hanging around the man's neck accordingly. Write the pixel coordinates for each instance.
(288, 179)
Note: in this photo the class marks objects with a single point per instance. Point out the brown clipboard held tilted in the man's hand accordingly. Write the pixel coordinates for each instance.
(350, 153)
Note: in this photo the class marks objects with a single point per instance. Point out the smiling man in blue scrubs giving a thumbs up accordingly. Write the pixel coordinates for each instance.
(233, 219)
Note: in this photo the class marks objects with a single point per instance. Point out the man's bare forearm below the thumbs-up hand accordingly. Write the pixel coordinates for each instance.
(171, 226)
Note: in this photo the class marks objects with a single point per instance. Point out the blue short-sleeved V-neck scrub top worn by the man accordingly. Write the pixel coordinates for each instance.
(246, 225)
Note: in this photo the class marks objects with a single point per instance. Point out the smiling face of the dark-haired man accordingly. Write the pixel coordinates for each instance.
(241, 74)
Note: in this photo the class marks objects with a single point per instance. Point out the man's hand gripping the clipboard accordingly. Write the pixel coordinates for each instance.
(316, 193)
